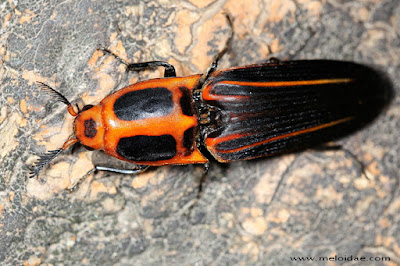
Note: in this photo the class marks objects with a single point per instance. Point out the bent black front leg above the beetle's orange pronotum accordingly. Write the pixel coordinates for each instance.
(169, 69)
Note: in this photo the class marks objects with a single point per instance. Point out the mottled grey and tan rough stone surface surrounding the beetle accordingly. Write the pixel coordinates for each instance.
(323, 206)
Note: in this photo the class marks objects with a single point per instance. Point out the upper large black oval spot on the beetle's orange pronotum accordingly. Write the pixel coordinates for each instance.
(142, 104)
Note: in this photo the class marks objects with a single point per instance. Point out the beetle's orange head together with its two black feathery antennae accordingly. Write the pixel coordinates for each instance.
(88, 129)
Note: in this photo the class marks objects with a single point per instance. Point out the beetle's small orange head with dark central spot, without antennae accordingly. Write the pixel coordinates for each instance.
(89, 128)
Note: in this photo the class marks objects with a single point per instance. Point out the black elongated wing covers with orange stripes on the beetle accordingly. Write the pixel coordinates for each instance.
(275, 108)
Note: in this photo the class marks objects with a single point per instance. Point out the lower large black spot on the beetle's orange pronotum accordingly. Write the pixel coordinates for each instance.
(147, 148)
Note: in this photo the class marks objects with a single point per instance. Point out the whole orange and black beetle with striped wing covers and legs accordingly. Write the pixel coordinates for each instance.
(239, 113)
